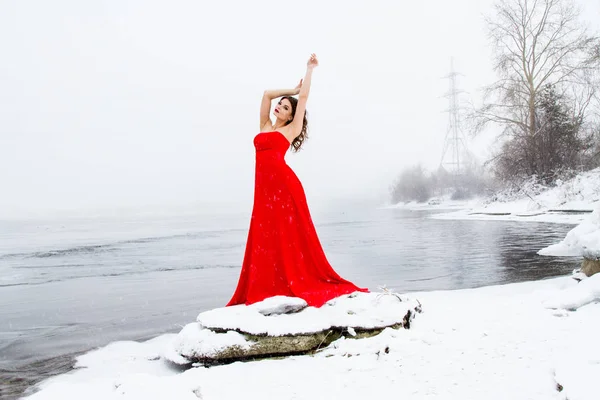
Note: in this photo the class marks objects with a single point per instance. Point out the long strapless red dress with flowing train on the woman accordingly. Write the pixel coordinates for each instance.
(283, 253)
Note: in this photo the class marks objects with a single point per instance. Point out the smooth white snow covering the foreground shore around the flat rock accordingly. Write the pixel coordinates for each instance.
(517, 341)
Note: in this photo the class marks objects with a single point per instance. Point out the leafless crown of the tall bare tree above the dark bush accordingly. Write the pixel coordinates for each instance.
(536, 43)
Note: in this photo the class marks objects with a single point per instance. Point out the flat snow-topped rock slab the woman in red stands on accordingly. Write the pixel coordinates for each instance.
(263, 330)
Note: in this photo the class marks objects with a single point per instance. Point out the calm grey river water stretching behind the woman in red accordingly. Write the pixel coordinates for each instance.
(67, 286)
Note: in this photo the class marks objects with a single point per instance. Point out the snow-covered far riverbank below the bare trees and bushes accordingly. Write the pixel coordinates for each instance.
(532, 203)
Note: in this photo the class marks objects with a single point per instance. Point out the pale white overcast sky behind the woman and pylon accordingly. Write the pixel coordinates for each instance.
(119, 104)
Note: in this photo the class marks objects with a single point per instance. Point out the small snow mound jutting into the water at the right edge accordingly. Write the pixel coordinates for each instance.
(584, 239)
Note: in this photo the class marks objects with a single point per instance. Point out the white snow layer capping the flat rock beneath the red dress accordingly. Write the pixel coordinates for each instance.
(357, 310)
